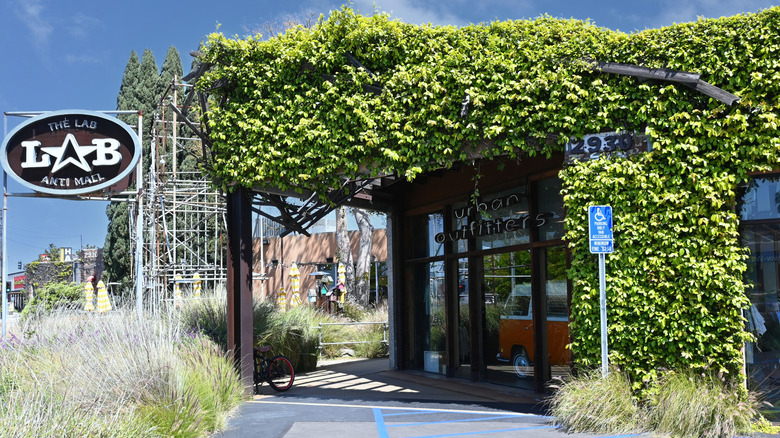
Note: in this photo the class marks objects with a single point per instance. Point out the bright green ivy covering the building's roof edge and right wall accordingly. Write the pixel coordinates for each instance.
(675, 286)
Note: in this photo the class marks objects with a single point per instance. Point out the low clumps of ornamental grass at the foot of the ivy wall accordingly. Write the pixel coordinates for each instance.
(677, 405)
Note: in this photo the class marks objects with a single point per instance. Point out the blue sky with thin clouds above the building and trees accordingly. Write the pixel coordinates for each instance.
(60, 55)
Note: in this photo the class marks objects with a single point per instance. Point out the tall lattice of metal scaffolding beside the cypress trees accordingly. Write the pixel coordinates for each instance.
(184, 216)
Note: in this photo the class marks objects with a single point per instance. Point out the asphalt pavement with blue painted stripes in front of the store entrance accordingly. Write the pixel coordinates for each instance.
(364, 398)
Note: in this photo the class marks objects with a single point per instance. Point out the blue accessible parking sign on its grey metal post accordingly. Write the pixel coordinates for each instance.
(601, 243)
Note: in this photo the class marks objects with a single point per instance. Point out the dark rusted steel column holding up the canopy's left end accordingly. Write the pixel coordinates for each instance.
(239, 282)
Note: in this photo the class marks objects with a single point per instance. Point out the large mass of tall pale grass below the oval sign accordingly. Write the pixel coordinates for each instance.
(135, 378)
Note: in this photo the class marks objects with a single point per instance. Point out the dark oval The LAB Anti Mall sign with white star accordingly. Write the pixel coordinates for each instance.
(70, 152)
